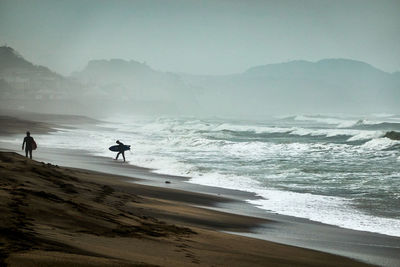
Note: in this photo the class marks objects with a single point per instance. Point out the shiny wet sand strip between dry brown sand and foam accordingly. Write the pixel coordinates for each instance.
(368, 247)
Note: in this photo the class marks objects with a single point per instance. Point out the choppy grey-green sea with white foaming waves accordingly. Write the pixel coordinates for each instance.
(338, 170)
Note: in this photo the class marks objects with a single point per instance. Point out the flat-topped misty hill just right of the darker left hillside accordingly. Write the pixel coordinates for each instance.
(138, 84)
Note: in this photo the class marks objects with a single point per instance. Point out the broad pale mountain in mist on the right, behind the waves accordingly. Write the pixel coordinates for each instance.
(329, 85)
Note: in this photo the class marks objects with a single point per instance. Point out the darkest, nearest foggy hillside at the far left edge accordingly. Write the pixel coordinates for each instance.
(26, 86)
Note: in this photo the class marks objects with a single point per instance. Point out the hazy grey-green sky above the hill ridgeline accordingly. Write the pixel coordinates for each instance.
(201, 37)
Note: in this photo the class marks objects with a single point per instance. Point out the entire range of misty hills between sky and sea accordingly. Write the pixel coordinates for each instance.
(116, 85)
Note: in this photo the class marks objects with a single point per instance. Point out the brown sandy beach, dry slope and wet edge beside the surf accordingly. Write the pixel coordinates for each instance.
(73, 208)
